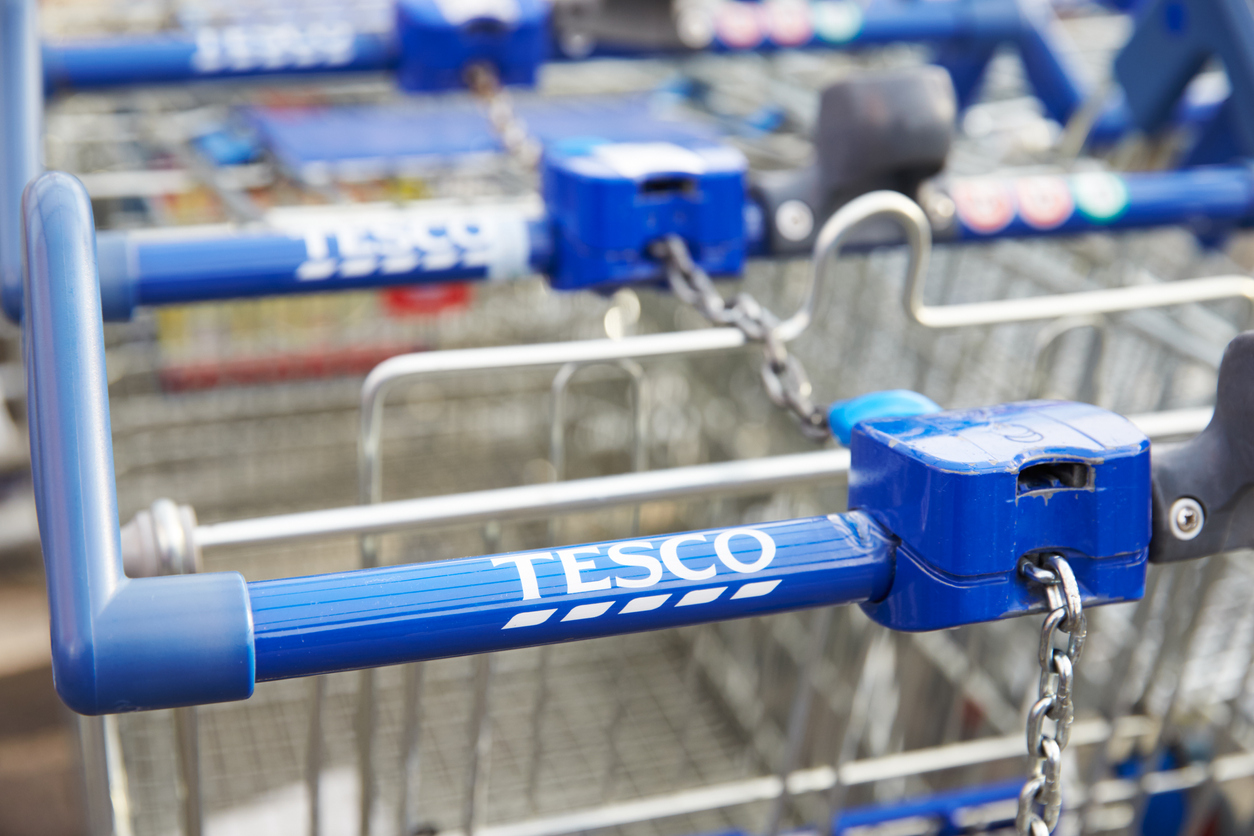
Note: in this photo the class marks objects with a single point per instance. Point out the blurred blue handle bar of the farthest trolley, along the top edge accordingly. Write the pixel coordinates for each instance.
(239, 52)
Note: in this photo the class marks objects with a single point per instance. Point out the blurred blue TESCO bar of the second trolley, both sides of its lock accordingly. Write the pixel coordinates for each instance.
(174, 268)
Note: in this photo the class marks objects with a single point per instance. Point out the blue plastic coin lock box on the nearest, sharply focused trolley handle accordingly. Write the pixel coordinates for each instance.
(970, 493)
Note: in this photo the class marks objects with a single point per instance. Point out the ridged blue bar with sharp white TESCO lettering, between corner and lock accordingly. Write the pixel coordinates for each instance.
(409, 614)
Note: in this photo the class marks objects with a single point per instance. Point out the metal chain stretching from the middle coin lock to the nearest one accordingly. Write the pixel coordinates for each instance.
(786, 379)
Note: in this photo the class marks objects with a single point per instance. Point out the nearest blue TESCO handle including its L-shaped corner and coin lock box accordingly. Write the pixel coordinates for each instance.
(965, 494)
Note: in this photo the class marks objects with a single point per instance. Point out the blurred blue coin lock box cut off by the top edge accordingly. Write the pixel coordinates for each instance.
(440, 39)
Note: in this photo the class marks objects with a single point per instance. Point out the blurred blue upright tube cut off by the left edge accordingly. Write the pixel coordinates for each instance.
(21, 120)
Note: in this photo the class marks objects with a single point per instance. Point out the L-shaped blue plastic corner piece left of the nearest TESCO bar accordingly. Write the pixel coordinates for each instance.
(119, 645)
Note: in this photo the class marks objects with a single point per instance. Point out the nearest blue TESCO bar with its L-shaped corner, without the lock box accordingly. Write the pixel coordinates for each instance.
(124, 644)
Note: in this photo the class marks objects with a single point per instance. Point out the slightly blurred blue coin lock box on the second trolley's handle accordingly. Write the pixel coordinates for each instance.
(611, 201)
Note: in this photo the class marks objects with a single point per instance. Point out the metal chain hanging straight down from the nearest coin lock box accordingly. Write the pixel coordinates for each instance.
(1041, 798)
